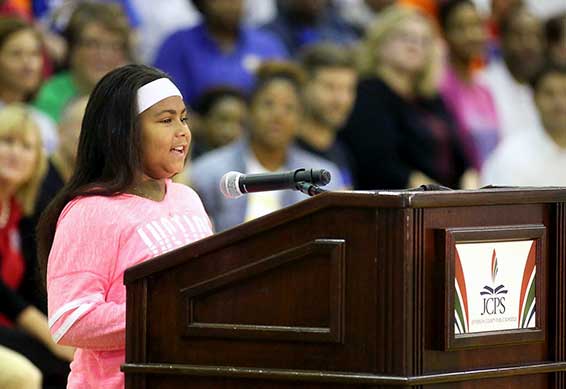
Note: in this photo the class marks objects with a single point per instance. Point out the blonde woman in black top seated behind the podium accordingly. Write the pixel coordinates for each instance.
(400, 133)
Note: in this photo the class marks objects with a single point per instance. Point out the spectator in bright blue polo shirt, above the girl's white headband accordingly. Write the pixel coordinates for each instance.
(218, 51)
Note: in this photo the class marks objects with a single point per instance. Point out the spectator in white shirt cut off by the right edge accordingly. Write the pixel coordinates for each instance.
(536, 158)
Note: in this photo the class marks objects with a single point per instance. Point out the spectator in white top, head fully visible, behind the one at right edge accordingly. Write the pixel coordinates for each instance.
(522, 48)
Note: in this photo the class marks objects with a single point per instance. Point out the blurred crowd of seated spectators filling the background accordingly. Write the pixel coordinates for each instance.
(384, 94)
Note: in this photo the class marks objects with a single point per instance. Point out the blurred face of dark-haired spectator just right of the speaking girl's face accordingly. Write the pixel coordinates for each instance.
(225, 121)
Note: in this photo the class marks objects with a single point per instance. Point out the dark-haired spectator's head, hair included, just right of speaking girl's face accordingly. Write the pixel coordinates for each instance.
(222, 112)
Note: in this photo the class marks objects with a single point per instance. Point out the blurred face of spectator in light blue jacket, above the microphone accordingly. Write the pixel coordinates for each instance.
(275, 115)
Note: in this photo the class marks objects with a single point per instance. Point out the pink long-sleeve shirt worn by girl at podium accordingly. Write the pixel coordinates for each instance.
(96, 240)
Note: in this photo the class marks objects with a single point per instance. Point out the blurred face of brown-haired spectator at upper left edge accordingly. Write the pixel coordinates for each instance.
(21, 62)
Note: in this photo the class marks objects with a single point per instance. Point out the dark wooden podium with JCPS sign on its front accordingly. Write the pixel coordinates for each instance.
(360, 289)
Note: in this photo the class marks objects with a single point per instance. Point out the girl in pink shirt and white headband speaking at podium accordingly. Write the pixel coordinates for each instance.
(119, 208)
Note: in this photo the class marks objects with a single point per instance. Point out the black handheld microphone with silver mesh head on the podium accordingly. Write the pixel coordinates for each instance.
(234, 184)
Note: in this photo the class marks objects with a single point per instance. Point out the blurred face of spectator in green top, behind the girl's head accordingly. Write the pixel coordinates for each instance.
(98, 51)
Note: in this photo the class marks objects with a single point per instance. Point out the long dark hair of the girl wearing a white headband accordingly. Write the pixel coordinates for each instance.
(109, 151)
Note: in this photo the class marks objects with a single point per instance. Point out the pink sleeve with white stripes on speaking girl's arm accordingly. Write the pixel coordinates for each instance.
(80, 267)
